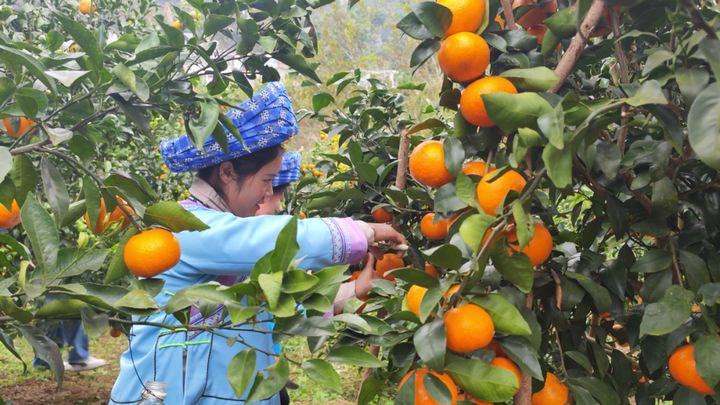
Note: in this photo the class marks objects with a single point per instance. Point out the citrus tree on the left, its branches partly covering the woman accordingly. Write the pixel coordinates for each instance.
(85, 88)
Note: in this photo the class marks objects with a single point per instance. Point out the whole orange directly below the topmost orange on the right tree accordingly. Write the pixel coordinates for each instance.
(464, 56)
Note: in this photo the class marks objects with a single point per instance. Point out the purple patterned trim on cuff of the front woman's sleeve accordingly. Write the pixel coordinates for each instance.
(349, 241)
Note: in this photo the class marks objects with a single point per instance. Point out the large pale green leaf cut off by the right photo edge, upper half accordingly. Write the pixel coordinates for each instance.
(703, 126)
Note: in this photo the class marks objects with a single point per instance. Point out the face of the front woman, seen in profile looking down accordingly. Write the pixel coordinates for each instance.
(245, 196)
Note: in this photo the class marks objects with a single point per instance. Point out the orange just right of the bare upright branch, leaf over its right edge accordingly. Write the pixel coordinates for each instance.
(427, 164)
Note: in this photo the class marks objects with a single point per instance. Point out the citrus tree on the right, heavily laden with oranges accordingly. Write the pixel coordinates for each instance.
(561, 197)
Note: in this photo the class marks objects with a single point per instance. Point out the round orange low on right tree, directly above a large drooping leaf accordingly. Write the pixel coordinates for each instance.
(468, 328)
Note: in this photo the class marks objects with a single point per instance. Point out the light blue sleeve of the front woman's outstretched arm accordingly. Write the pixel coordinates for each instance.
(233, 245)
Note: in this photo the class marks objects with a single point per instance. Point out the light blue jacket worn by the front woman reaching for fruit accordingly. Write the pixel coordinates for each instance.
(195, 367)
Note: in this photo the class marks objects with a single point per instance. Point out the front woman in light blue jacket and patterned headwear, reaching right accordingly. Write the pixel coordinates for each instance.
(228, 192)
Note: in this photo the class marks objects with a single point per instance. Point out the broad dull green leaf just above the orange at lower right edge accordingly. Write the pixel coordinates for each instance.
(666, 315)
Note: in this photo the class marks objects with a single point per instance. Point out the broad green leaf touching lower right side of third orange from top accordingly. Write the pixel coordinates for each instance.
(513, 111)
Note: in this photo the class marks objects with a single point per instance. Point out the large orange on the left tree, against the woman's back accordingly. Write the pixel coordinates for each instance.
(151, 252)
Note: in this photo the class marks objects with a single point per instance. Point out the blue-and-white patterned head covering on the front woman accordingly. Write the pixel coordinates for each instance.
(267, 119)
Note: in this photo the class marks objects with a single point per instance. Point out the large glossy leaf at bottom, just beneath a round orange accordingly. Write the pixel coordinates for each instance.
(476, 377)
